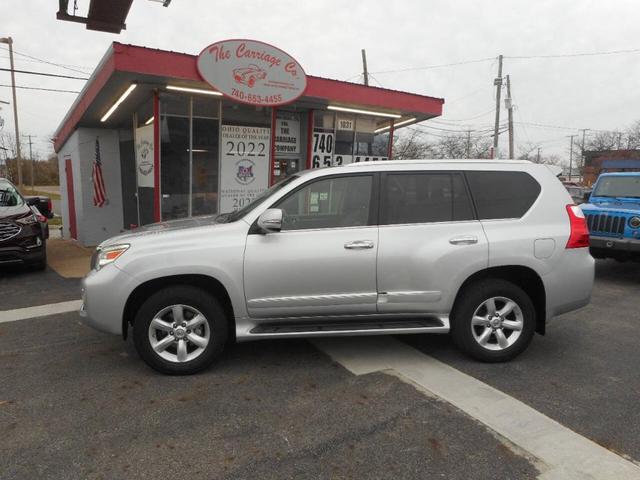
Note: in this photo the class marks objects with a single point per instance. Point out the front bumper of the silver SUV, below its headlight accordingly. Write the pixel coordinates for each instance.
(104, 294)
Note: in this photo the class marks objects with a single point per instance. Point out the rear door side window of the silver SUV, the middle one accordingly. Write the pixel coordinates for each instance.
(425, 197)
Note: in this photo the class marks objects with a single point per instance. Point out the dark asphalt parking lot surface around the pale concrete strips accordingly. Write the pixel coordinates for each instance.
(75, 403)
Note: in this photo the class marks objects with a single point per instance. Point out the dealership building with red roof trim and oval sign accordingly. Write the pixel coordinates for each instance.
(158, 135)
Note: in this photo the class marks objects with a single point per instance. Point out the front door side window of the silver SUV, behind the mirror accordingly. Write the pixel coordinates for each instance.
(328, 203)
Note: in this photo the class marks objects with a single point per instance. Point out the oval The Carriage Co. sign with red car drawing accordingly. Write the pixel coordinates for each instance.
(252, 72)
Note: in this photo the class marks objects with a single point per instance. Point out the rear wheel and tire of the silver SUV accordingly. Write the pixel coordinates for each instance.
(498, 337)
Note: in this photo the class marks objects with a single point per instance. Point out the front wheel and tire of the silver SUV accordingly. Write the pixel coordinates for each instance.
(184, 345)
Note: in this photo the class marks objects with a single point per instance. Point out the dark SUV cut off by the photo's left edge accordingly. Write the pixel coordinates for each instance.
(23, 235)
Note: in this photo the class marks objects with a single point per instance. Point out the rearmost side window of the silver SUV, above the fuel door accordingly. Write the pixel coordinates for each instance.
(502, 194)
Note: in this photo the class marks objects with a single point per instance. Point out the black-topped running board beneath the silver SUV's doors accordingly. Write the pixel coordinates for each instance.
(374, 327)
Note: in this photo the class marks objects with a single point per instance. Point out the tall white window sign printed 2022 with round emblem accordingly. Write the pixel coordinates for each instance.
(244, 165)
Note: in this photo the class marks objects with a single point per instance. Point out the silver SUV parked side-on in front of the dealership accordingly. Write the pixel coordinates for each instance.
(485, 250)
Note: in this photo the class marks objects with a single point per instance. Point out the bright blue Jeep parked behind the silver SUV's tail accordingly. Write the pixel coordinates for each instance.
(613, 216)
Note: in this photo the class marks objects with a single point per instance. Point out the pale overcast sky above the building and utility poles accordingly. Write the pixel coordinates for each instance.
(596, 92)
